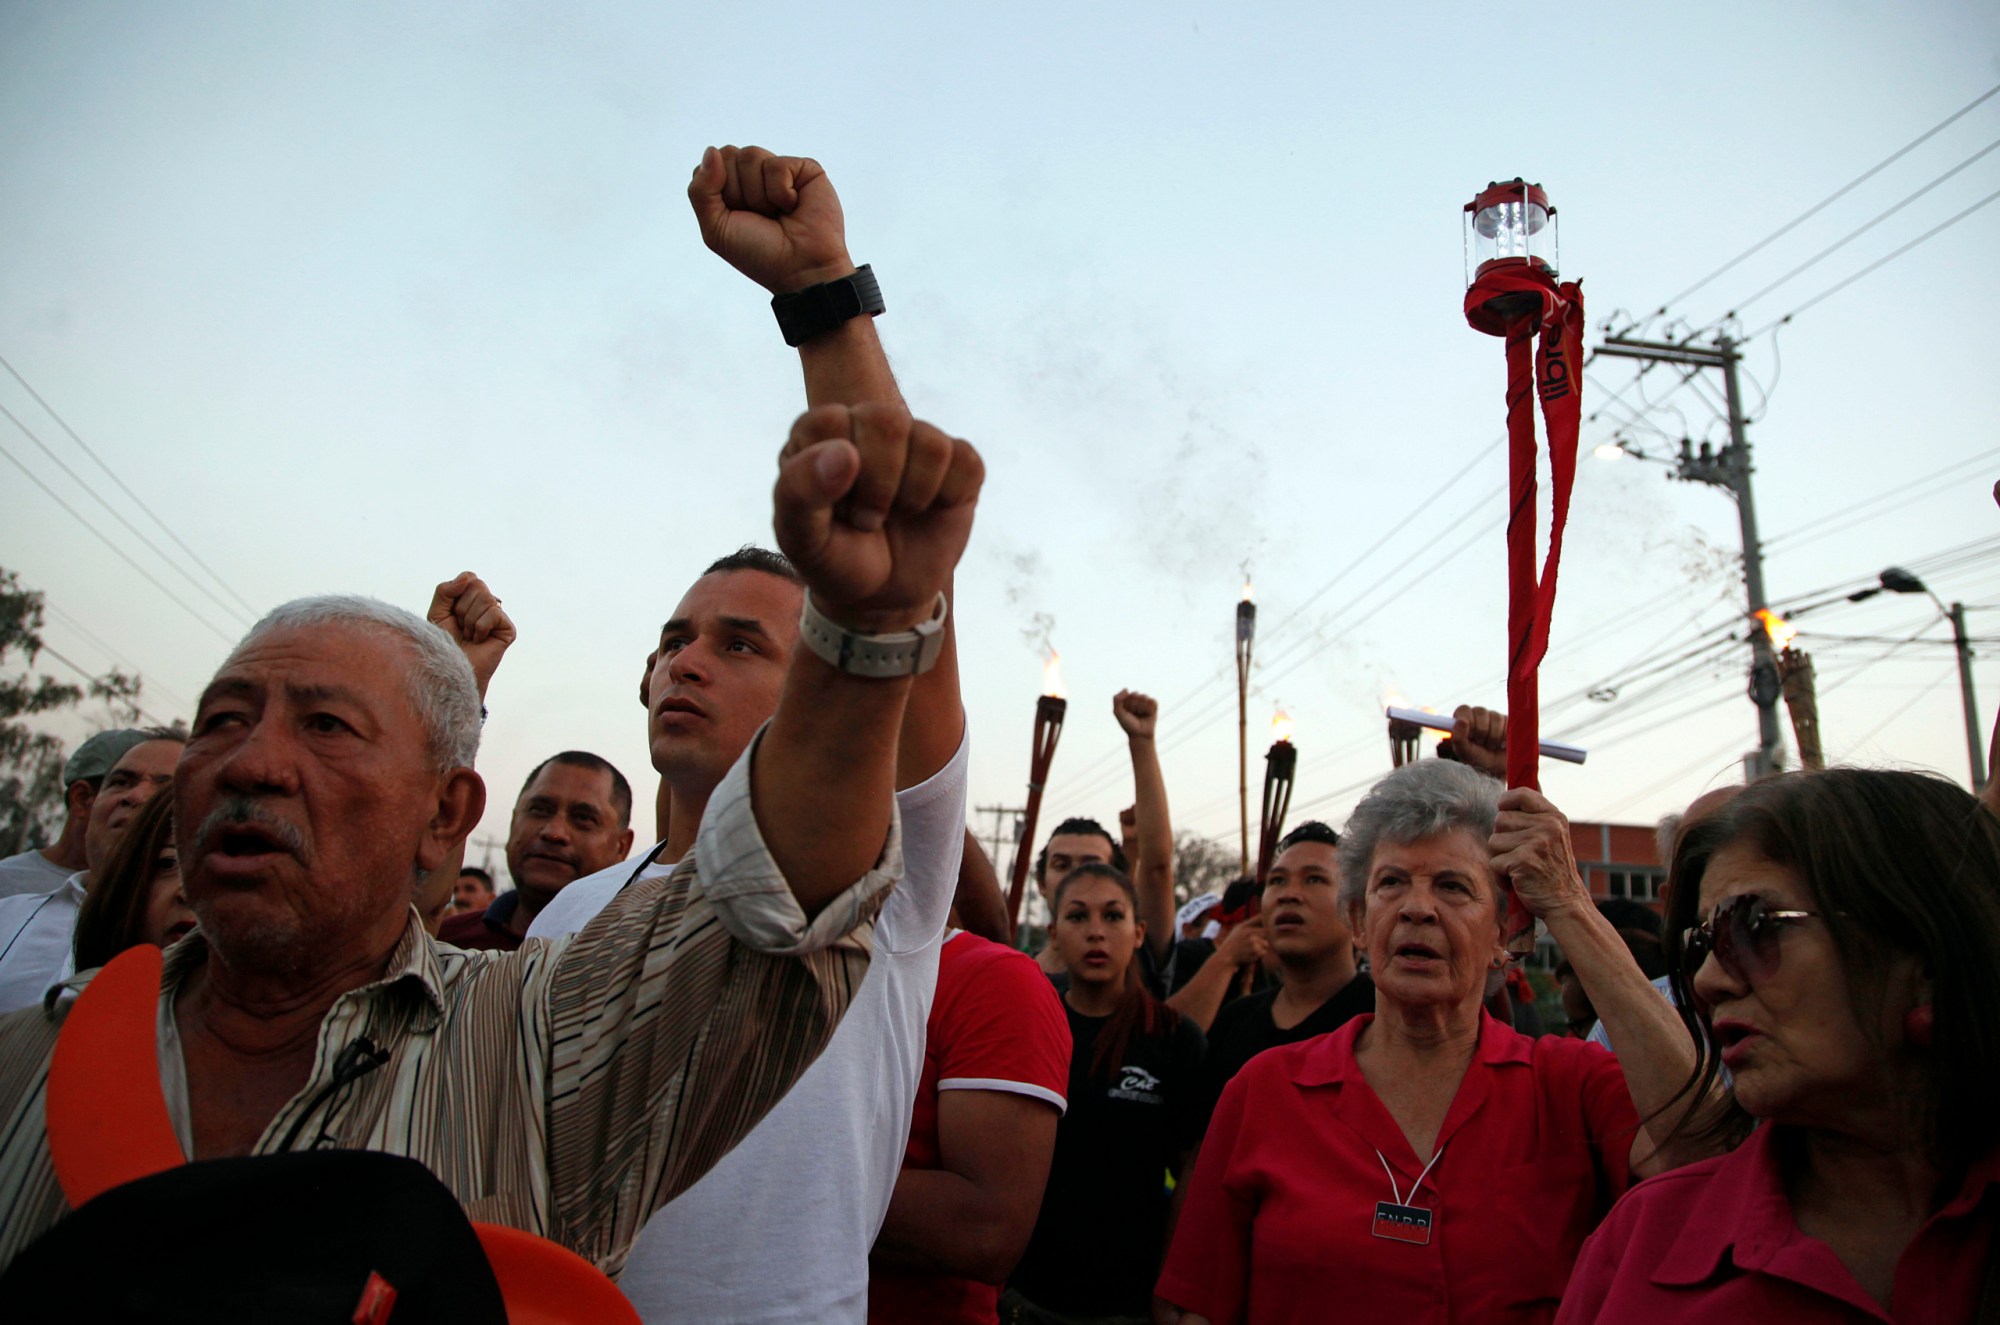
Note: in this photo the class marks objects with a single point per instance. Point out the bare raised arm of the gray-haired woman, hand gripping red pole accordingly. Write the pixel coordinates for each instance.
(1531, 846)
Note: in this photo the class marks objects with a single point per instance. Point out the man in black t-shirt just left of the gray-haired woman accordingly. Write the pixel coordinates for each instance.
(1319, 988)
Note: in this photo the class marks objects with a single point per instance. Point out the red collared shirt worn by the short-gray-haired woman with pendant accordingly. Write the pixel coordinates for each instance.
(1281, 1214)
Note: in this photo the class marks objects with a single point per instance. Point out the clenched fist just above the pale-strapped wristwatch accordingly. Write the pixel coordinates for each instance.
(875, 509)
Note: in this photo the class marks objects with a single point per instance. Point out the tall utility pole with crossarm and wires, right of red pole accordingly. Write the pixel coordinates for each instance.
(1727, 469)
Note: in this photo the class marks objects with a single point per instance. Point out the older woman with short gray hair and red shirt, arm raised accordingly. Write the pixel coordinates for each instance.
(1429, 1164)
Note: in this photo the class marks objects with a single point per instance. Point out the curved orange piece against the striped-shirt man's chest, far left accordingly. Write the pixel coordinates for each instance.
(105, 1110)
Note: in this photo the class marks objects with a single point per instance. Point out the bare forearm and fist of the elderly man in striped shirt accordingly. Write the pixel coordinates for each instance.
(875, 511)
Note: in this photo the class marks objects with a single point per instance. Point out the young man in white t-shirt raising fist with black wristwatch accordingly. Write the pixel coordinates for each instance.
(781, 1228)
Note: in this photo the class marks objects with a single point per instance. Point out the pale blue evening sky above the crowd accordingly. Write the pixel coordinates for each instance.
(357, 297)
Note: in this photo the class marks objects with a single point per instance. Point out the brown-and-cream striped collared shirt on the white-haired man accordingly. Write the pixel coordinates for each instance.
(569, 1088)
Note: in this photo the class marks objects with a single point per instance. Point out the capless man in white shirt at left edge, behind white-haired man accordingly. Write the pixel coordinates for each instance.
(37, 928)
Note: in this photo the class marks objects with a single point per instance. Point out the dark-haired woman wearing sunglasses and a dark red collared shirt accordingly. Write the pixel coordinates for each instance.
(1839, 940)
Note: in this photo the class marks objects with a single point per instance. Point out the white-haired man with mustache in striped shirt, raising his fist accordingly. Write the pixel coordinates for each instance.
(569, 1088)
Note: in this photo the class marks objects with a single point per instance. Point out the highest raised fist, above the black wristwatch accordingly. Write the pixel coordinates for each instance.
(775, 219)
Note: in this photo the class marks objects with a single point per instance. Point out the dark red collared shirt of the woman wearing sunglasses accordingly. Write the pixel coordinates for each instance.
(1717, 1242)
